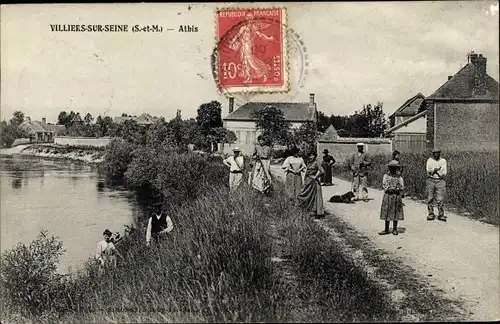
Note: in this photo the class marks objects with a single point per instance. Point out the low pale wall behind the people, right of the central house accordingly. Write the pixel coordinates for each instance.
(343, 147)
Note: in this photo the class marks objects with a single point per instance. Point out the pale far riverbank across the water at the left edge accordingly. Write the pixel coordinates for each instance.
(90, 155)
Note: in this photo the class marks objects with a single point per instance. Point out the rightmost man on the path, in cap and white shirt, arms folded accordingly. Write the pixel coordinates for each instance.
(436, 185)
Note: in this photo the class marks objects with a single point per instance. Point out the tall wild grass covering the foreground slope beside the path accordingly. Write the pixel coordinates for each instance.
(216, 267)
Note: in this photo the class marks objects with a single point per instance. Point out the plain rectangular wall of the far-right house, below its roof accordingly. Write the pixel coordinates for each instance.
(466, 126)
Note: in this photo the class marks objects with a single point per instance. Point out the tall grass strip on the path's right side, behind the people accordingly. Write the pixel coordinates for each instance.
(472, 181)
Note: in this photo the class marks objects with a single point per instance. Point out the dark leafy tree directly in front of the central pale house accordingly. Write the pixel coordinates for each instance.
(272, 124)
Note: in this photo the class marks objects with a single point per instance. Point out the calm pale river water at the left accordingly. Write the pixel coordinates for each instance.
(69, 200)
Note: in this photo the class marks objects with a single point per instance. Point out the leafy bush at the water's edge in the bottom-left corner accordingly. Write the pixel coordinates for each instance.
(30, 283)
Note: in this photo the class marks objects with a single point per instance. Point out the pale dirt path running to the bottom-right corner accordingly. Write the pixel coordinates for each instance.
(460, 257)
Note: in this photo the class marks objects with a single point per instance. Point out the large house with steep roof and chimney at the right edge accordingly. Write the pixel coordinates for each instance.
(462, 114)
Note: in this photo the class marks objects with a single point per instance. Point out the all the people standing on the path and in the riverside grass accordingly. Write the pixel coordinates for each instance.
(303, 182)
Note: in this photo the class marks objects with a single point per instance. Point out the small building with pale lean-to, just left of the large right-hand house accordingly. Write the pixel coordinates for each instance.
(408, 126)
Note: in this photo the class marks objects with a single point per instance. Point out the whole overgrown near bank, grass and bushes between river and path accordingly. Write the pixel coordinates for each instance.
(219, 264)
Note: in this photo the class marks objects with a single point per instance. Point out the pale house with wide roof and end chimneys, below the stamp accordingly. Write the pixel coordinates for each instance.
(242, 122)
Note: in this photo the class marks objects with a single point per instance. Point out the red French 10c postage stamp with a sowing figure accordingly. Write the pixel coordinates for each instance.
(252, 50)
